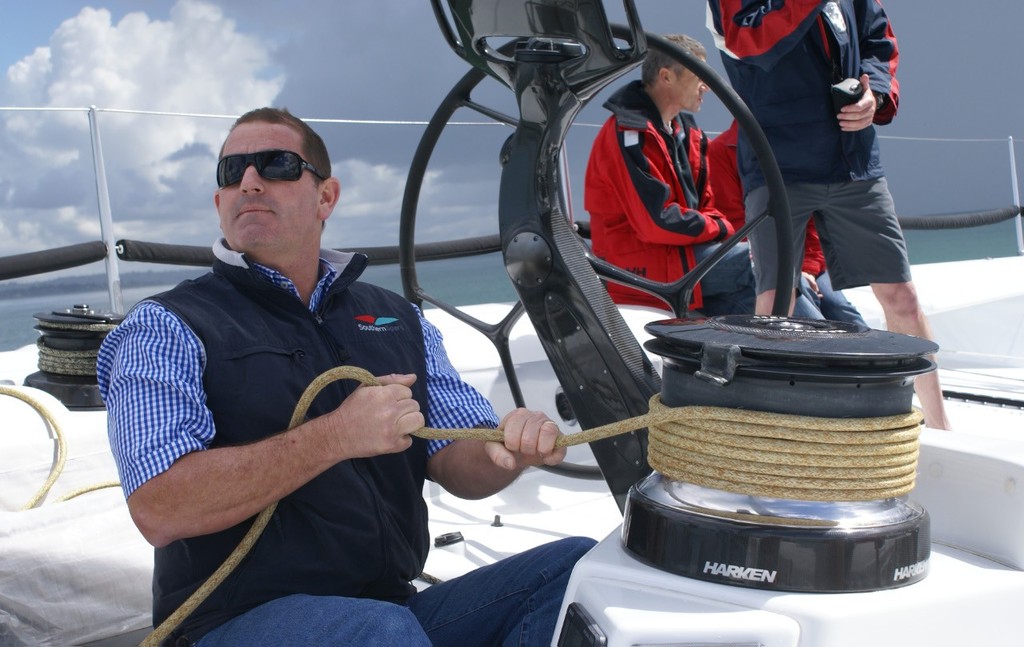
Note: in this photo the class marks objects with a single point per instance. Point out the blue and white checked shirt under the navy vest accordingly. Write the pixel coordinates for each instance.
(150, 371)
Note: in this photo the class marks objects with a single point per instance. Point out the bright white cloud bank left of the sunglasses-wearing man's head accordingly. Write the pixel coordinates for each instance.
(196, 62)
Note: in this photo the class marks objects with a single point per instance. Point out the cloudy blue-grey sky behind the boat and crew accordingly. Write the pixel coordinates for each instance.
(387, 62)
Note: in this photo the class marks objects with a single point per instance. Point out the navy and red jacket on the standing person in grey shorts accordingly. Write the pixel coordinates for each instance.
(783, 58)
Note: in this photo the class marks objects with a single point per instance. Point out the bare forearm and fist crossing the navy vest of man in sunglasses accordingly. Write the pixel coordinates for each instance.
(210, 491)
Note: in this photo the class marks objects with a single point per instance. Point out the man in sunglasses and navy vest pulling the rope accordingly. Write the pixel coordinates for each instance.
(200, 384)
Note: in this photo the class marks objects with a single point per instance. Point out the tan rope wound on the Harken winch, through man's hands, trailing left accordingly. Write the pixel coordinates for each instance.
(753, 453)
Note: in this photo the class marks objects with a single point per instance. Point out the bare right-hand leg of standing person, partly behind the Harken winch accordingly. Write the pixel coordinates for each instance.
(904, 315)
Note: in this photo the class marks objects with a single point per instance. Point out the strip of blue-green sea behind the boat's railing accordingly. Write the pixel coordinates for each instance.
(483, 279)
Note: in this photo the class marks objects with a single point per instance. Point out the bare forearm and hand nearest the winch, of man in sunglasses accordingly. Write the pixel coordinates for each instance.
(474, 469)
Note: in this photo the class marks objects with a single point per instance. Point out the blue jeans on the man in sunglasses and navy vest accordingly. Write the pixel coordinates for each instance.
(515, 601)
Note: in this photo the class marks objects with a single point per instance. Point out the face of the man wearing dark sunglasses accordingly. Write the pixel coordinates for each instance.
(273, 222)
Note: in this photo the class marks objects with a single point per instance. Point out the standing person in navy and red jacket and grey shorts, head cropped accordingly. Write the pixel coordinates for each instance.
(784, 59)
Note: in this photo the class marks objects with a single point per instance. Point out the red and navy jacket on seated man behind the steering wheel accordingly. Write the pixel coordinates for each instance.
(649, 196)
